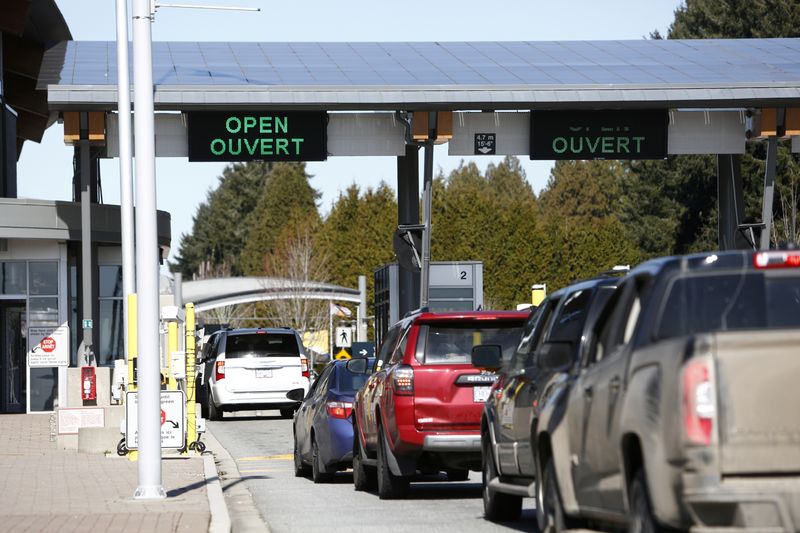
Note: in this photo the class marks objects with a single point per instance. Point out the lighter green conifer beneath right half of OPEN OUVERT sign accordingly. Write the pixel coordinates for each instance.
(286, 195)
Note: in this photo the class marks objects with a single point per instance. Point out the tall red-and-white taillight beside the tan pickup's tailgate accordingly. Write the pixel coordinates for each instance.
(699, 405)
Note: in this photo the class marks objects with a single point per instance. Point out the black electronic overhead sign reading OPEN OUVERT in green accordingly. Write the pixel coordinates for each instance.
(254, 135)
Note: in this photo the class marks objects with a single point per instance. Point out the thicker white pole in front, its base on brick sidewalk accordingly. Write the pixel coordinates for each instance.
(149, 404)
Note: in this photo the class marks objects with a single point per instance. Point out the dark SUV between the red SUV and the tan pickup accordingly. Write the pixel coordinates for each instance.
(530, 385)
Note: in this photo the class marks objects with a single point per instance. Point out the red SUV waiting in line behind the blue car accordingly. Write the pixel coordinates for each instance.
(420, 409)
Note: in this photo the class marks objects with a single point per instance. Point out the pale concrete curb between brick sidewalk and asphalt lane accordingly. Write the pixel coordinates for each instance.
(236, 500)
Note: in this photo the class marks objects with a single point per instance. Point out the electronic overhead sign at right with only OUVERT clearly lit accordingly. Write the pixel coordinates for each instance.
(599, 134)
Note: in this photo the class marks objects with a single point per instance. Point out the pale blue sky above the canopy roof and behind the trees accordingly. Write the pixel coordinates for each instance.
(45, 169)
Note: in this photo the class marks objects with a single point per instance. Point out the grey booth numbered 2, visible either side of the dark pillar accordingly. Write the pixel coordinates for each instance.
(453, 286)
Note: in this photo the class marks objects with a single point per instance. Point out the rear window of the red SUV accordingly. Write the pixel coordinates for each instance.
(452, 343)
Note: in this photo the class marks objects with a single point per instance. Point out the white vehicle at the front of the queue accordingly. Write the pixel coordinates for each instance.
(245, 369)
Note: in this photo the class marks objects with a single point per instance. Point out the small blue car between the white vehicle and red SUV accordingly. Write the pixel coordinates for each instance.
(323, 426)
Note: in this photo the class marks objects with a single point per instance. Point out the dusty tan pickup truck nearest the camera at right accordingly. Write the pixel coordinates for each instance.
(684, 411)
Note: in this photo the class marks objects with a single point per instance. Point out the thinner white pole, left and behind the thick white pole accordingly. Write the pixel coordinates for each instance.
(125, 177)
